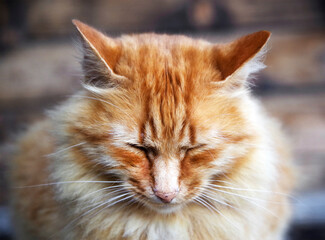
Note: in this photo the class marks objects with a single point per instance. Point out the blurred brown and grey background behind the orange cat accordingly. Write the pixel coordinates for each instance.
(39, 68)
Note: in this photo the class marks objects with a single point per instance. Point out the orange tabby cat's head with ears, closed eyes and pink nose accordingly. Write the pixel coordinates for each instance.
(164, 114)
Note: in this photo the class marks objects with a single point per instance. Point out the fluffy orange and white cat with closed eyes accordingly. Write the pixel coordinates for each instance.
(165, 141)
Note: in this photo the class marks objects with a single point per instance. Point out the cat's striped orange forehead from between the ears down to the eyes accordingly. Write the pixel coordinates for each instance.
(168, 73)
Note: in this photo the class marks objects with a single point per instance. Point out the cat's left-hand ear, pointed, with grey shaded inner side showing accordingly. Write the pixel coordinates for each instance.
(100, 55)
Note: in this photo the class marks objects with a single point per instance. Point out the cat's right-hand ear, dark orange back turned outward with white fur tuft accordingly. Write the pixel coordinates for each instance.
(241, 57)
